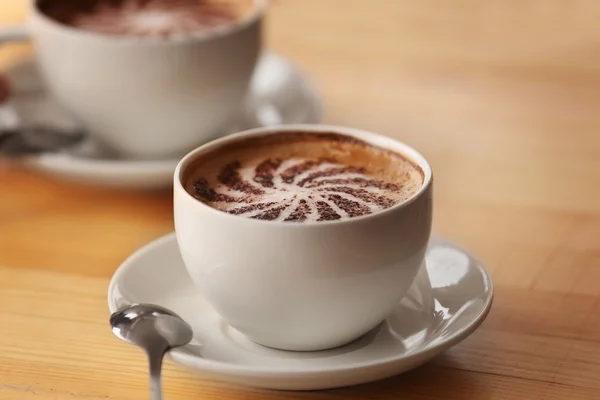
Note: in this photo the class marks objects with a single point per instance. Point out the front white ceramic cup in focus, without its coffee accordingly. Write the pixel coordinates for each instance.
(304, 286)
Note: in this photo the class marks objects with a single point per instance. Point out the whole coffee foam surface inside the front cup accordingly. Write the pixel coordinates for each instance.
(300, 177)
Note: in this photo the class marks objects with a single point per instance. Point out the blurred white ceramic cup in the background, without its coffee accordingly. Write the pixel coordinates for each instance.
(147, 97)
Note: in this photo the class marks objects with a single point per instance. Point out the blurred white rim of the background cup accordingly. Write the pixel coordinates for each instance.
(36, 16)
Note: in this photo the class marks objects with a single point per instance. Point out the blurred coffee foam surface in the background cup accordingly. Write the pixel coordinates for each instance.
(150, 17)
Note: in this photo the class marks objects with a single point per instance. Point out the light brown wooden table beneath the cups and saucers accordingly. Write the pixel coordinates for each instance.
(502, 96)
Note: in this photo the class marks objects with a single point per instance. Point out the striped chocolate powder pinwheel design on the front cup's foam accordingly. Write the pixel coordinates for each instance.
(296, 191)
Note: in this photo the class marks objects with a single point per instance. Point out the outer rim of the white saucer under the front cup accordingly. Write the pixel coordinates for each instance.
(228, 368)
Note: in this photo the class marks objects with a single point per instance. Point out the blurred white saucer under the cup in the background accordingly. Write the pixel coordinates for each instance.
(280, 94)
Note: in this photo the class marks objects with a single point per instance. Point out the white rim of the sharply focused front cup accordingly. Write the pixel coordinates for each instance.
(374, 139)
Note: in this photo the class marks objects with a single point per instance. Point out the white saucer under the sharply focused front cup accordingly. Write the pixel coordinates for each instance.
(448, 301)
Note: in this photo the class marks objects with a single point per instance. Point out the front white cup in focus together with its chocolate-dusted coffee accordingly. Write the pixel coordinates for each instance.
(314, 283)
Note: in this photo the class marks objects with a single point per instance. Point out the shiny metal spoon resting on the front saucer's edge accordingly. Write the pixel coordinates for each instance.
(156, 330)
